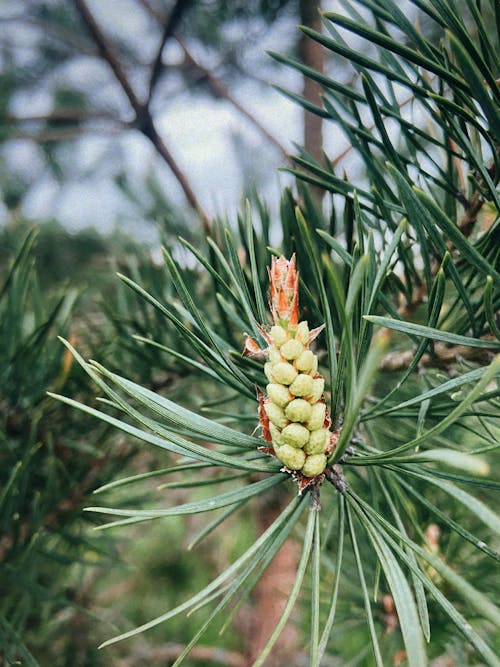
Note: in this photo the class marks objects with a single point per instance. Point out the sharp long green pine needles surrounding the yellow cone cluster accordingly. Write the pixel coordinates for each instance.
(405, 277)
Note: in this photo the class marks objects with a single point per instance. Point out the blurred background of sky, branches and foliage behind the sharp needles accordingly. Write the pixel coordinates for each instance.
(122, 124)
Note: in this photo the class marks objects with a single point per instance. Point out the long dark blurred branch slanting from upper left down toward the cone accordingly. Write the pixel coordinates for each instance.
(143, 119)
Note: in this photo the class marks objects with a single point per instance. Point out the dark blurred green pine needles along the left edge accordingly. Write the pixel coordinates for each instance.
(49, 464)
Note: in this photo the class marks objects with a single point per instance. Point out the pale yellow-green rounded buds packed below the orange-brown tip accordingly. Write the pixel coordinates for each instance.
(294, 405)
